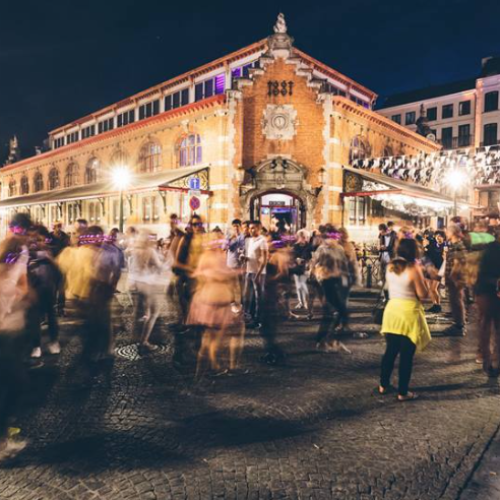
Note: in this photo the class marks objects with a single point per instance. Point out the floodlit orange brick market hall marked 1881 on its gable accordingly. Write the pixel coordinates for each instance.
(262, 132)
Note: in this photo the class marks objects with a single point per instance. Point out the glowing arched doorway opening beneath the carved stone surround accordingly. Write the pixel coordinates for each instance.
(282, 207)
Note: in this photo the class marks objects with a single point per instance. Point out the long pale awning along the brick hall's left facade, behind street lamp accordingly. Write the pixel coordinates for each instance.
(175, 179)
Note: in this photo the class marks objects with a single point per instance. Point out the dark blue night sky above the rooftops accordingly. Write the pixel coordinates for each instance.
(62, 59)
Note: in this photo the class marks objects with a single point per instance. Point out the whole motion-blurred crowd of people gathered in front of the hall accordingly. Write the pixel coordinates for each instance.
(220, 285)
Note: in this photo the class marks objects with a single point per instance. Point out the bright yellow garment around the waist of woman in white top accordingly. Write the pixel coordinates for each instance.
(407, 317)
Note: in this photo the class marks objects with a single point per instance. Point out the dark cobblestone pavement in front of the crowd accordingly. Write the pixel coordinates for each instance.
(309, 429)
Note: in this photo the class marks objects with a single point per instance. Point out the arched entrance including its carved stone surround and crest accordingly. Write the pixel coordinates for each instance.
(278, 188)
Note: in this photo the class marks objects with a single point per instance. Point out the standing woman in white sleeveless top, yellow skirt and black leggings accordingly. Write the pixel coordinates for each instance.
(404, 324)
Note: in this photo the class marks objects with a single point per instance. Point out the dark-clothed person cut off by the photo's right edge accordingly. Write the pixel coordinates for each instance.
(488, 303)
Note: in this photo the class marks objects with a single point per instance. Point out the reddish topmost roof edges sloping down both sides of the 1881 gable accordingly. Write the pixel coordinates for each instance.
(206, 68)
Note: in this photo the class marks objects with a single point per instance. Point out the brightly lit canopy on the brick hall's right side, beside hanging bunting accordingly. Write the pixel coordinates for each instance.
(396, 194)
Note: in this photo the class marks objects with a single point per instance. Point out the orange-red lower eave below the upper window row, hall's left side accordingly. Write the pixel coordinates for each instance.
(183, 110)
